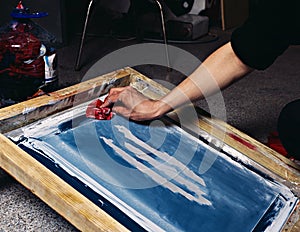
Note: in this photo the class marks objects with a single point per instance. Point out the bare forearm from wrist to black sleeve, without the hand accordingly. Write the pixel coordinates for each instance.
(217, 72)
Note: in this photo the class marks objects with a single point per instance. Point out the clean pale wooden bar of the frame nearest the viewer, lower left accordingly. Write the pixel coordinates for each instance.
(51, 189)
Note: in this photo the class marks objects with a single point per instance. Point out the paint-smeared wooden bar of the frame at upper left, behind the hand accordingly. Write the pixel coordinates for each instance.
(26, 112)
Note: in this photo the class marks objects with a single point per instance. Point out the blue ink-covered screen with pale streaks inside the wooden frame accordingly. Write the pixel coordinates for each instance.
(150, 173)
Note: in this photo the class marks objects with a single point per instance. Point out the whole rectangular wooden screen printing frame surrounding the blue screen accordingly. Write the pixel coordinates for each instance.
(75, 207)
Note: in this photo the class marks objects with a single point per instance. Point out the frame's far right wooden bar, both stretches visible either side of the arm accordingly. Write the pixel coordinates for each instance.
(255, 150)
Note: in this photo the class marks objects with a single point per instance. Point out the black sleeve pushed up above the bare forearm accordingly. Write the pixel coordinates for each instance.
(266, 34)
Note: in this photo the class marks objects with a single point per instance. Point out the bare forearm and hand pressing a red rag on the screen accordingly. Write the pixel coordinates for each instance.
(217, 72)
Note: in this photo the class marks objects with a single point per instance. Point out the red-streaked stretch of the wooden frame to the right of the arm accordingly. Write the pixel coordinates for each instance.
(285, 169)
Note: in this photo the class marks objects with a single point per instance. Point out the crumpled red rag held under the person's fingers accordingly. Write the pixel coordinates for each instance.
(94, 110)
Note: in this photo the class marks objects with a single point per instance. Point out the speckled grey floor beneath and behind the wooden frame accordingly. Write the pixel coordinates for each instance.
(252, 105)
